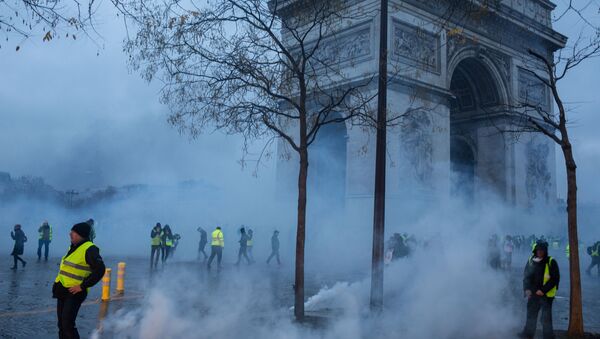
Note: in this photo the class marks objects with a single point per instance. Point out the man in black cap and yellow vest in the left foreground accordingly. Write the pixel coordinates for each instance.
(81, 268)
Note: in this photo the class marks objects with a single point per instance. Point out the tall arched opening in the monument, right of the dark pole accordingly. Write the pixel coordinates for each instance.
(477, 146)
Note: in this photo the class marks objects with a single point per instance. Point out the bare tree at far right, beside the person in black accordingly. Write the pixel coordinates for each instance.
(538, 117)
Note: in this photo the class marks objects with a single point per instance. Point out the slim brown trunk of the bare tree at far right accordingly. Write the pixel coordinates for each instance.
(576, 308)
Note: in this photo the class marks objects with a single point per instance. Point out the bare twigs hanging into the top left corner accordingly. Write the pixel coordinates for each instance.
(23, 19)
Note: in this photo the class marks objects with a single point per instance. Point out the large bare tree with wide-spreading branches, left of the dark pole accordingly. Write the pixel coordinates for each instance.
(254, 68)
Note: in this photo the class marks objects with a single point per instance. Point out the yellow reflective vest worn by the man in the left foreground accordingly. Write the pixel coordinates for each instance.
(73, 267)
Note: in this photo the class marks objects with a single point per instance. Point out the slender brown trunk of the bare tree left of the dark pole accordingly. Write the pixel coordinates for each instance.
(301, 225)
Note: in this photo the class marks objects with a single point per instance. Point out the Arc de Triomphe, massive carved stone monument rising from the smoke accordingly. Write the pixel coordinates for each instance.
(463, 71)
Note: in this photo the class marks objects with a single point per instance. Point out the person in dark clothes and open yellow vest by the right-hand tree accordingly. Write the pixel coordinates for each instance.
(540, 283)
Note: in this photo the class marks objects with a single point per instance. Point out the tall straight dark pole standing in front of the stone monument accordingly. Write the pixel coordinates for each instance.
(380, 166)
